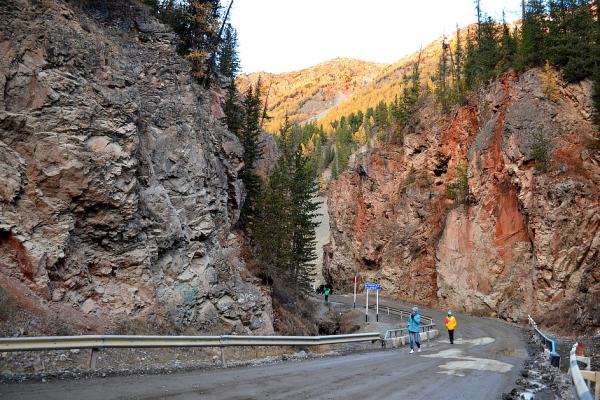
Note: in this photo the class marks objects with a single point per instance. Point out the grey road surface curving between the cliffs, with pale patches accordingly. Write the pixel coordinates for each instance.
(483, 363)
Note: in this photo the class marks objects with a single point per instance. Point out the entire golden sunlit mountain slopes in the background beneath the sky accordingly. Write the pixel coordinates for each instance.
(339, 87)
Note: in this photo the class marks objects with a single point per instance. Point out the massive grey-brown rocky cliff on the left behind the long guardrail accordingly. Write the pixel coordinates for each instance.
(118, 184)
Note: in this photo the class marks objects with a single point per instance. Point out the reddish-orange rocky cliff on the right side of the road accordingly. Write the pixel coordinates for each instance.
(525, 238)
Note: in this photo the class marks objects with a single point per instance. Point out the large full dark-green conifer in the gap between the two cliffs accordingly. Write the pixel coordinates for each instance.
(285, 228)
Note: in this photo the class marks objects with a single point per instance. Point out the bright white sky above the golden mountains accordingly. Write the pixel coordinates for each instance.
(288, 35)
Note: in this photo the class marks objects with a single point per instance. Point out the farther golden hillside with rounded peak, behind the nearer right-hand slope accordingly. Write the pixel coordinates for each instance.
(309, 93)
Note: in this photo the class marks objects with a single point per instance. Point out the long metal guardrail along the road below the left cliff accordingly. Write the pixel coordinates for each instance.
(121, 341)
